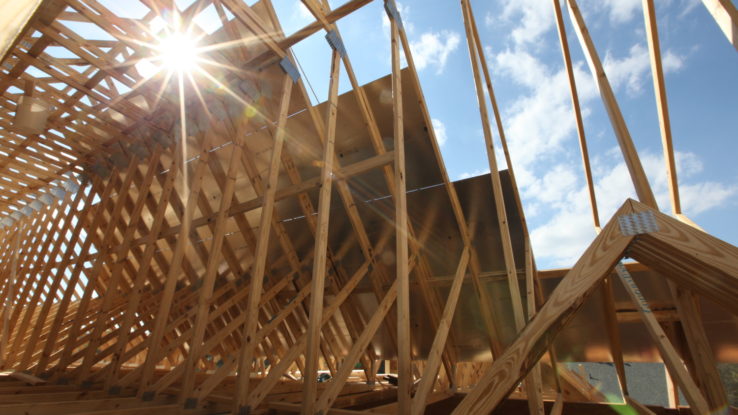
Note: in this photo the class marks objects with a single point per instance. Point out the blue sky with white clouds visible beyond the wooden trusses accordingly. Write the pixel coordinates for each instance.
(523, 53)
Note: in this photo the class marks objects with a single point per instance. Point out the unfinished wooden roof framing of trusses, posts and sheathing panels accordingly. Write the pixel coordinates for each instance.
(168, 247)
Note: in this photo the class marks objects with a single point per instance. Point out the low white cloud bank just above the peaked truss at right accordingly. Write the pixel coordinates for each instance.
(562, 239)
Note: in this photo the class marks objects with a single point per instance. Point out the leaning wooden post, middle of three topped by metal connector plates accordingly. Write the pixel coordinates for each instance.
(310, 379)
